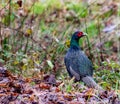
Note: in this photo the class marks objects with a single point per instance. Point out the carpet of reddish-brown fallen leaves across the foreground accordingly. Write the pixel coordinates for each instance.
(16, 90)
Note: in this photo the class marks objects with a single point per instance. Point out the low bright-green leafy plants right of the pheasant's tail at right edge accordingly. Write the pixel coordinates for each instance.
(110, 74)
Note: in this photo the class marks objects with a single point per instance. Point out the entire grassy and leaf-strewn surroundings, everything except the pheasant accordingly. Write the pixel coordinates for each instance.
(34, 37)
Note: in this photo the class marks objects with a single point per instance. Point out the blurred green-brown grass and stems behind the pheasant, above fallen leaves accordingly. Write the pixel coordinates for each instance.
(35, 35)
